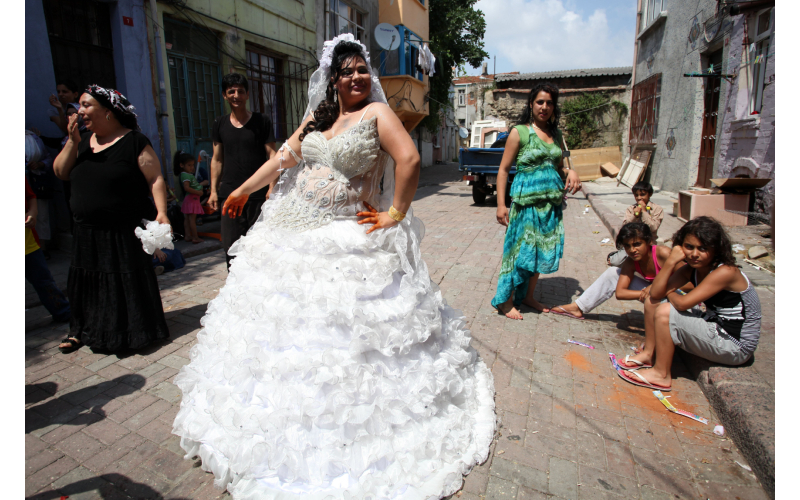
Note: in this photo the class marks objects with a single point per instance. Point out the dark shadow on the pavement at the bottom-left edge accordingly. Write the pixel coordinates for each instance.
(108, 486)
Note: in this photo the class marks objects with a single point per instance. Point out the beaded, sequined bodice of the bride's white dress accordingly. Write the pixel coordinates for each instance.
(339, 174)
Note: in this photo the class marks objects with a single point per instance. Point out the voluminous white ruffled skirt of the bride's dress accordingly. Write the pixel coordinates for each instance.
(330, 366)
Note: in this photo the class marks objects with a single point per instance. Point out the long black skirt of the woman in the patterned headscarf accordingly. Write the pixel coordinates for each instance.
(113, 290)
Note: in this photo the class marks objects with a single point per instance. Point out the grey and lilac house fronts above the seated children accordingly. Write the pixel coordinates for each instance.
(715, 69)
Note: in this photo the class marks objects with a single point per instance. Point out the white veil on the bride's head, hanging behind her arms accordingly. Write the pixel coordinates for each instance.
(317, 86)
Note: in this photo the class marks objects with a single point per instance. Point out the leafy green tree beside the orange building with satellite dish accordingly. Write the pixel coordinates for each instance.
(457, 30)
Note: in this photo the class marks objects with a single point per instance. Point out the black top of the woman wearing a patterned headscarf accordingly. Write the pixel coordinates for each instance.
(108, 188)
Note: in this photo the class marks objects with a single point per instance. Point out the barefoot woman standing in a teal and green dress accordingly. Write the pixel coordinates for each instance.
(535, 236)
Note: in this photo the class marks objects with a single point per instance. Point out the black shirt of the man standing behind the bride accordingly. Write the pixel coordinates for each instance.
(243, 151)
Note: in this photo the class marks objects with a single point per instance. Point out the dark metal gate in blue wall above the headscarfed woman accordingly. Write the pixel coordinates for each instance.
(80, 41)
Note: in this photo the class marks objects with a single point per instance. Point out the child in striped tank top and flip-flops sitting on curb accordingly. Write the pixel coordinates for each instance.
(727, 332)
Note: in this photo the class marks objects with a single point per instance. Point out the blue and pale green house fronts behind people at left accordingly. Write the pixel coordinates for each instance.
(273, 43)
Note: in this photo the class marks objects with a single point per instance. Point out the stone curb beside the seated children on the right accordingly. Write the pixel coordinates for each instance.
(744, 404)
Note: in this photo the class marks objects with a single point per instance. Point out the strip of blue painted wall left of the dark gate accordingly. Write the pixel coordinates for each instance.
(40, 79)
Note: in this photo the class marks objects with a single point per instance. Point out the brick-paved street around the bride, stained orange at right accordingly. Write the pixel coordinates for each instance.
(98, 426)
